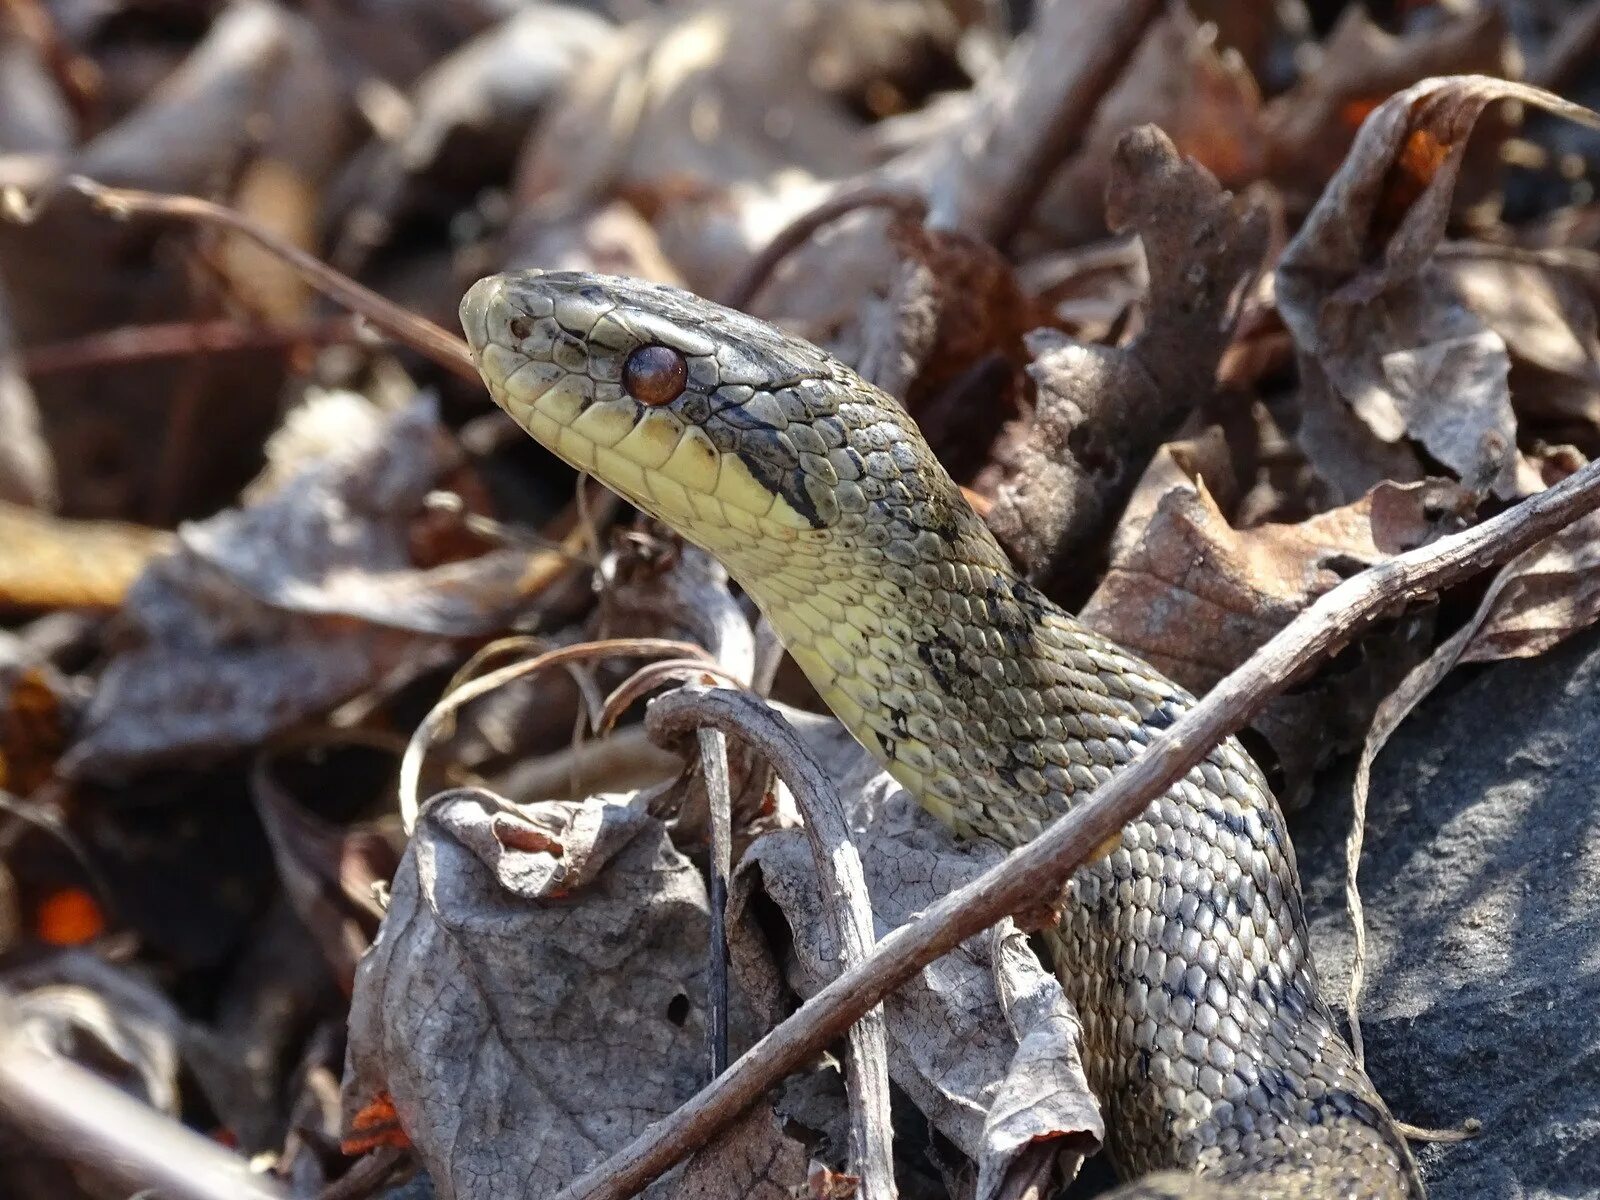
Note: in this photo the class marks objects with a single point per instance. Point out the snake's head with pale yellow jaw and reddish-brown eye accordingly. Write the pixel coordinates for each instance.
(706, 418)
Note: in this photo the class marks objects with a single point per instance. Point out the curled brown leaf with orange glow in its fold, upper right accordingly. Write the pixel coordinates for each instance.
(1378, 319)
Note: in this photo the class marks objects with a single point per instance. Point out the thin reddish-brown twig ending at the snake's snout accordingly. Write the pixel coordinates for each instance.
(406, 327)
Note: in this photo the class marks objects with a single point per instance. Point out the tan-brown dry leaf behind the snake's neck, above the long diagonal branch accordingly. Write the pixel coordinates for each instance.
(1196, 598)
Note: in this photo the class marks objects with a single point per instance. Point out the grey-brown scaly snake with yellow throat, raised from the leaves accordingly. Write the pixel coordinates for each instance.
(1183, 946)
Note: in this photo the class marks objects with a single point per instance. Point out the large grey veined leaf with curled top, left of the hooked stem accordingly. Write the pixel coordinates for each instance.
(527, 1012)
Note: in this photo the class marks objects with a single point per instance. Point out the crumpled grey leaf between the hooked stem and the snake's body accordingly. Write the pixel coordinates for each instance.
(985, 1042)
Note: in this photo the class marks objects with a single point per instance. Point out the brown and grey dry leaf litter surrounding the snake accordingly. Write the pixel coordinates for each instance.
(1207, 310)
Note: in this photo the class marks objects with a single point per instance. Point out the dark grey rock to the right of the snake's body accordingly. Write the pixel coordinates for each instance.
(1482, 892)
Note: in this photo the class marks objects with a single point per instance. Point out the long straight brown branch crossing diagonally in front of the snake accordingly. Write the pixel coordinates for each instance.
(1044, 866)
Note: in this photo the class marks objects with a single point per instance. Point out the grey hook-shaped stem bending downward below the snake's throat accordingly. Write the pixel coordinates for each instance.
(846, 905)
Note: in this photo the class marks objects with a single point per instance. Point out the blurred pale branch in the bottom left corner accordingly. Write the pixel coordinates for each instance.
(86, 1121)
